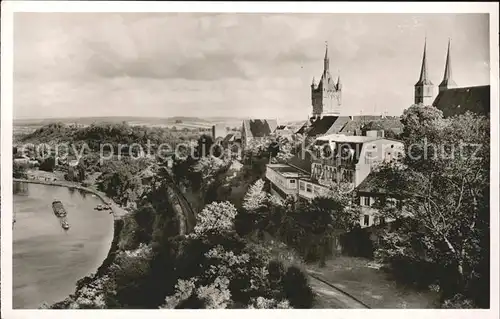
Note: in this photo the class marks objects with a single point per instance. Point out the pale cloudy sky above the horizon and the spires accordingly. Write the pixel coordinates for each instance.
(234, 65)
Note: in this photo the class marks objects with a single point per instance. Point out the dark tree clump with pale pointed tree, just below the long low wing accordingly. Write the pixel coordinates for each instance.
(308, 227)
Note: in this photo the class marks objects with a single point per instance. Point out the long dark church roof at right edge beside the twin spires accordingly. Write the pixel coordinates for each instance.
(455, 101)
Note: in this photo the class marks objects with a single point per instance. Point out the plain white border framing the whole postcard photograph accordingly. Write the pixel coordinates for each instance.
(10, 7)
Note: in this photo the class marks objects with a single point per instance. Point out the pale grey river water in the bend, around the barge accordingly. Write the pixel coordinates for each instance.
(48, 261)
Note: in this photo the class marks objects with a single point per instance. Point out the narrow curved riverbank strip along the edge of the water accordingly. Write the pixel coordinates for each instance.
(119, 221)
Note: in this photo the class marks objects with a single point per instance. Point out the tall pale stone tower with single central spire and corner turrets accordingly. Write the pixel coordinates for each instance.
(326, 96)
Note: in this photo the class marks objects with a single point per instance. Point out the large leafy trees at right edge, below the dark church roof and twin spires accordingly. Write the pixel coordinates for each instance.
(445, 195)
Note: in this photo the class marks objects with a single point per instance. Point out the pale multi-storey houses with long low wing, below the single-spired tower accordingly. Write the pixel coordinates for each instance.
(337, 159)
